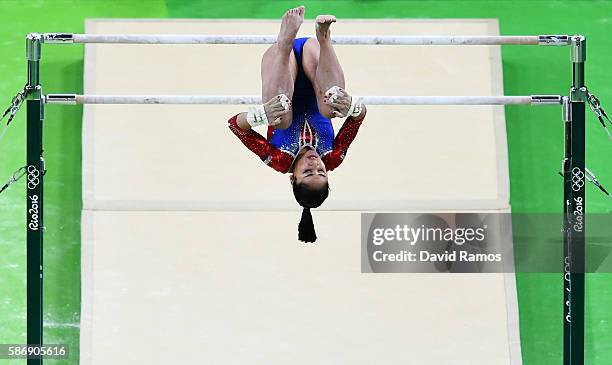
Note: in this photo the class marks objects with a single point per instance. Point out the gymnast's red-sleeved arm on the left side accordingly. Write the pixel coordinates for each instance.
(255, 142)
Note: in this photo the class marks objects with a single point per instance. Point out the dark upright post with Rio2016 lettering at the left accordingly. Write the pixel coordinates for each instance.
(34, 196)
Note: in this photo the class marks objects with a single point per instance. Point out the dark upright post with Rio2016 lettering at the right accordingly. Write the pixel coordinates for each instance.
(574, 209)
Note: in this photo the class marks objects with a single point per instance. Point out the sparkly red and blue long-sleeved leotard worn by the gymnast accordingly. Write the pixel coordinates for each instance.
(308, 128)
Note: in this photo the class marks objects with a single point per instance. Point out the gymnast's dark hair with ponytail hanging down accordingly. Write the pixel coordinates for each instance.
(308, 198)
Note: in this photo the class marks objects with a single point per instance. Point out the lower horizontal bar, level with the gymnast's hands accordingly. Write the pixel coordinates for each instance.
(74, 99)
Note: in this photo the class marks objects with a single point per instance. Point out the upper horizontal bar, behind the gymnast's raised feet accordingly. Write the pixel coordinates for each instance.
(67, 38)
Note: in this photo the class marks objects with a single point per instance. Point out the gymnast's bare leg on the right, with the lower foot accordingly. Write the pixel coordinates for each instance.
(321, 64)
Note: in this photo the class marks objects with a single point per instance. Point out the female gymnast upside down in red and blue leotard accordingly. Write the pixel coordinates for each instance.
(304, 85)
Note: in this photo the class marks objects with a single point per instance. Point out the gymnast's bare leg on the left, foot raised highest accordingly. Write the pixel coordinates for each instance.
(278, 64)
